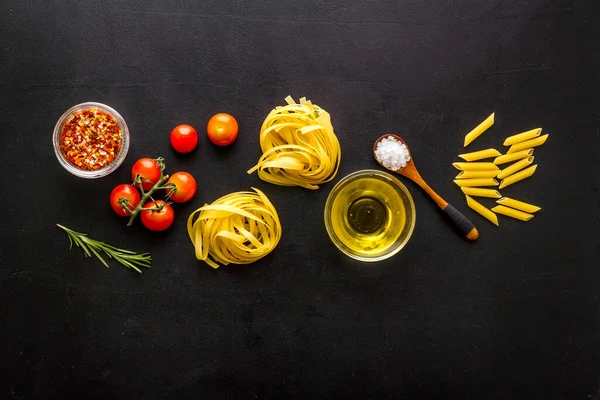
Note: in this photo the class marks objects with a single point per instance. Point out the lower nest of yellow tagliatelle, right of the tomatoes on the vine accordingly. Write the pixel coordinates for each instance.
(238, 228)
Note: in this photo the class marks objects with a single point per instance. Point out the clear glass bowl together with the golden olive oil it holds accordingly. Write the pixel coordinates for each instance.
(370, 215)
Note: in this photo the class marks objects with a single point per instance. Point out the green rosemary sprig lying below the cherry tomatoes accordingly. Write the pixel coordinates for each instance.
(91, 247)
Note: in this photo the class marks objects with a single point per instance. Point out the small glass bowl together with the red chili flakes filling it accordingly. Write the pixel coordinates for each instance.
(91, 140)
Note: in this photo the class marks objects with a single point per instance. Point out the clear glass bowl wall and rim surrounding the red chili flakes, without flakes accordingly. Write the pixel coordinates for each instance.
(82, 173)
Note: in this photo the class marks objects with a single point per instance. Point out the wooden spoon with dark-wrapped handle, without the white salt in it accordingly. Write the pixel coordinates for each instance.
(410, 171)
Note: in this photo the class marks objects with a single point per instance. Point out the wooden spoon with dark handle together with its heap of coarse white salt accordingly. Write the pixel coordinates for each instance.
(407, 168)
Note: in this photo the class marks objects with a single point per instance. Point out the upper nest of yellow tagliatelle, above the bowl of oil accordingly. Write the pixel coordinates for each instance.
(299, 146)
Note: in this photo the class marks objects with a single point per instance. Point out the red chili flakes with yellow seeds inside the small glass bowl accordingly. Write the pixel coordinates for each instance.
(91, 139)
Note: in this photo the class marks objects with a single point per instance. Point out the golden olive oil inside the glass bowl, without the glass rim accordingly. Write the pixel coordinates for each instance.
(368, 215)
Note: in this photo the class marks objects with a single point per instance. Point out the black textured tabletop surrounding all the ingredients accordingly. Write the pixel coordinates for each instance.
(513, 315)
